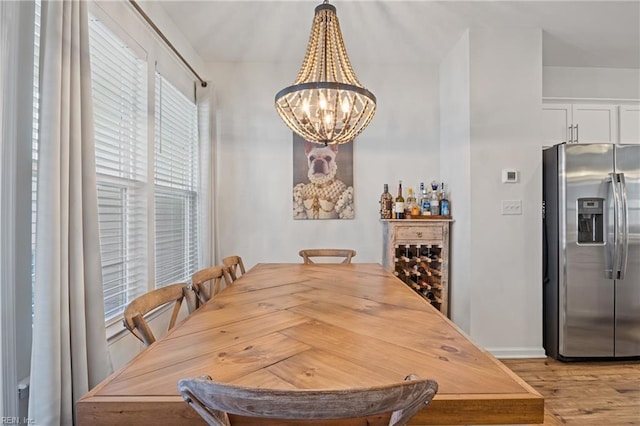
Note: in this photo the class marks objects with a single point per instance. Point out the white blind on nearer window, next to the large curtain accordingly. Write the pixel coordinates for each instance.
(119, 81)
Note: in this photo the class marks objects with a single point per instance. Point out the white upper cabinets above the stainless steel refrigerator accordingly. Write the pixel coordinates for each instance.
(591, 123)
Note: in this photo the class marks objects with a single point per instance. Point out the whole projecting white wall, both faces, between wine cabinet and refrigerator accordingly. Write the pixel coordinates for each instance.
(490, 99)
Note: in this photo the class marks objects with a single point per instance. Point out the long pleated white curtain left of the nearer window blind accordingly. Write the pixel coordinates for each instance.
(69, 354)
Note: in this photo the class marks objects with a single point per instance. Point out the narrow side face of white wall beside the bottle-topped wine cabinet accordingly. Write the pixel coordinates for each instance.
(455, 160)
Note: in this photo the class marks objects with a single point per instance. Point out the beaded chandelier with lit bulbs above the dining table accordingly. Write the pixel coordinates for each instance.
(326, 103)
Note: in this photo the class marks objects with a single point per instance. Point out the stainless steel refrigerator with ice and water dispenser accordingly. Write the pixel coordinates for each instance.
(591, 234)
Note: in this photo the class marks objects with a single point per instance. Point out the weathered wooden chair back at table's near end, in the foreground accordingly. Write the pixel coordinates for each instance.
(213, 401)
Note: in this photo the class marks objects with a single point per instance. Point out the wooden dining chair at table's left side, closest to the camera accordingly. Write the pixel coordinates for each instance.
(135, 311)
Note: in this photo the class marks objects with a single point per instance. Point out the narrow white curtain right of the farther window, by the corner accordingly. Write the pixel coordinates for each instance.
(205, 100)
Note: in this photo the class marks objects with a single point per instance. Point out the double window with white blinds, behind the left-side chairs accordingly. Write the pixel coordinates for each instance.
(144, 184)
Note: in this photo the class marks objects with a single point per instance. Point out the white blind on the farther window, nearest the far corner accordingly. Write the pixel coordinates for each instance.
(176, 185)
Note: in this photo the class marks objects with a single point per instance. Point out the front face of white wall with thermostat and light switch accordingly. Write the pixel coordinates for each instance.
(505, 98)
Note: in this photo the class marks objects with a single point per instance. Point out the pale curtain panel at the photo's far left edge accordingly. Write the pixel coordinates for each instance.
(16, 106)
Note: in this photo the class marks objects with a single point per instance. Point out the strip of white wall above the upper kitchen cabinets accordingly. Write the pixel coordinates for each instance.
(576, 82)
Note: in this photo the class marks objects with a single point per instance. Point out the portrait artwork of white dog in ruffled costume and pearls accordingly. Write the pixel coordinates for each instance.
(322, 180)
